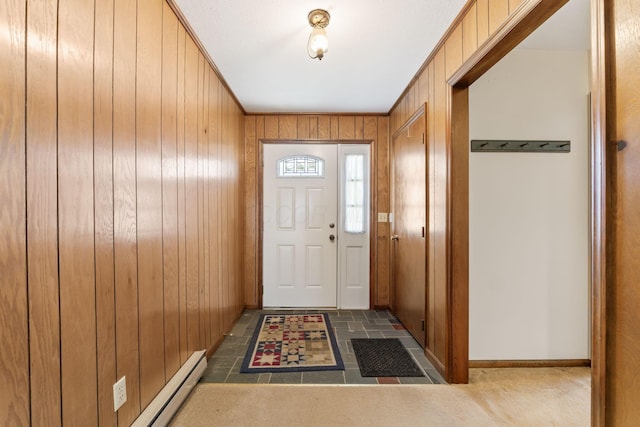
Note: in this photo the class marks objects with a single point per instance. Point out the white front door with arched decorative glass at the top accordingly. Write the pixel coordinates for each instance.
(300, 225)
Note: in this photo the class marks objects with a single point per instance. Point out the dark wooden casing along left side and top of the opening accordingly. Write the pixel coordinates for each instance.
(512, 33)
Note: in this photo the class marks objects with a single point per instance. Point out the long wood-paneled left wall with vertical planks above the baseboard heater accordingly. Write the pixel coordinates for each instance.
(121, 155)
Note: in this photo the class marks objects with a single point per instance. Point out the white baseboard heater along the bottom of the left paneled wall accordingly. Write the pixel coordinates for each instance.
(166, 404)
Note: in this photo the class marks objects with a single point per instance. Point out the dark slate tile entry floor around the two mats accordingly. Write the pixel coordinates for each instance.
(224, 365)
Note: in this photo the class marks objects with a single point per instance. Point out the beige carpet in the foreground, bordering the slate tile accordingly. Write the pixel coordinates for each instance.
(494, 397)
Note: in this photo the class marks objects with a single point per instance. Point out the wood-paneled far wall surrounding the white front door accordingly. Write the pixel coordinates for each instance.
(313, 128)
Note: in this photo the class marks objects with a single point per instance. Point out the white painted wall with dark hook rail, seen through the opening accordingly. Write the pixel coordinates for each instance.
(528, 212)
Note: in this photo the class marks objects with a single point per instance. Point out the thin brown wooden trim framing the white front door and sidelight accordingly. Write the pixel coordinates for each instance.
(260, 202)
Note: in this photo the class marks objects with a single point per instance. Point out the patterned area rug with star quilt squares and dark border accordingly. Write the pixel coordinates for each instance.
(292, 343)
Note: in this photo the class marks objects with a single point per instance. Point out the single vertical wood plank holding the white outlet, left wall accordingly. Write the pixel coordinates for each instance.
(124, 189)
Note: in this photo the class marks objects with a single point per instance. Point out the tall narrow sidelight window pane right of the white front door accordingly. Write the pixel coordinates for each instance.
(354, 193)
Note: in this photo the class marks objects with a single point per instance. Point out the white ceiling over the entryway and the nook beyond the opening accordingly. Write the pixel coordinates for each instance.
(375, 49)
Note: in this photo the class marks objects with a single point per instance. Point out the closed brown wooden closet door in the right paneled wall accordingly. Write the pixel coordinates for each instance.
(409, 222)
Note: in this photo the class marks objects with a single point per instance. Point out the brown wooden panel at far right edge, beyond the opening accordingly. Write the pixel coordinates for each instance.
(623, 294)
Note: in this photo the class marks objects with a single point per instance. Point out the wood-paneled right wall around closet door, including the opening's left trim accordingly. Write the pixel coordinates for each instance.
(484, 31)
